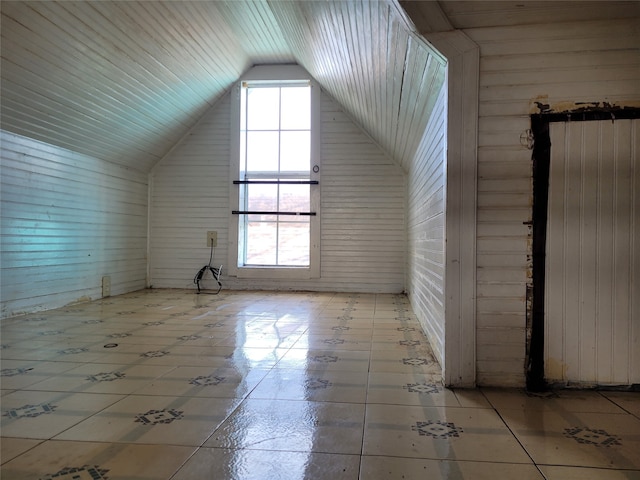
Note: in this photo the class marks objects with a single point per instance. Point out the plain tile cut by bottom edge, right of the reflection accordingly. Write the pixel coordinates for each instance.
(390, 468)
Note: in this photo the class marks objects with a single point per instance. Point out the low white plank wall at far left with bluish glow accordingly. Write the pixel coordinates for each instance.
(67, 220)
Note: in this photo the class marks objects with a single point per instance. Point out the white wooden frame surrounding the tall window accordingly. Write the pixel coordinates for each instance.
(278, 75)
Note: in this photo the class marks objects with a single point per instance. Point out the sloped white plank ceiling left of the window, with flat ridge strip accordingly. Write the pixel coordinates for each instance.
(123, 81)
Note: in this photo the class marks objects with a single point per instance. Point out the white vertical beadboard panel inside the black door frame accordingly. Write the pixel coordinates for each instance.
(592, 285)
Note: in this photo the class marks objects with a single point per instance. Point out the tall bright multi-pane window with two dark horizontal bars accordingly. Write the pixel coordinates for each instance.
(276, 170)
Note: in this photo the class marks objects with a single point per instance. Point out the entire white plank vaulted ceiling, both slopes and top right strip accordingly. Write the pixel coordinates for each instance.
(123, 81)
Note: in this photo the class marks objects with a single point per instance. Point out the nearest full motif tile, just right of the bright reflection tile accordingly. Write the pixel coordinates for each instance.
(439, 433)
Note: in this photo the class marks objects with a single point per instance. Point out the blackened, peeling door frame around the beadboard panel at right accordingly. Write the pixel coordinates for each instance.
(535, 379)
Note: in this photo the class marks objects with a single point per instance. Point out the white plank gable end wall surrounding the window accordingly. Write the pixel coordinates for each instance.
(362, 219)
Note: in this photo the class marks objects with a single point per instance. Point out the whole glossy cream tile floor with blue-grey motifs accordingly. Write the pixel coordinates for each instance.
(165, 384)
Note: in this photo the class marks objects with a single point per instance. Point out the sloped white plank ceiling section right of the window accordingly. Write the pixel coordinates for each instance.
(365, 55)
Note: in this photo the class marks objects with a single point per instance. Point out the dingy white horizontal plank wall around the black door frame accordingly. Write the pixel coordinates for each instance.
(555, 64)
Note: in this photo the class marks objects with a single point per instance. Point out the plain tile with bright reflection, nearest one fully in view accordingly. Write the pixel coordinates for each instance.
(286, 425)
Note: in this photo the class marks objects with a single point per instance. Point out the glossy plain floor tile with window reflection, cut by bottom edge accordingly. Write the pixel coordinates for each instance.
(217, 463)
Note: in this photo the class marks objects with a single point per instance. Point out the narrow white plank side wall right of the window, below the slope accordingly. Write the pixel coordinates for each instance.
(425, 228)
